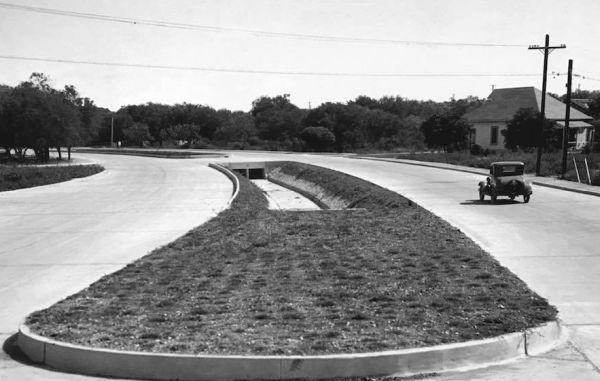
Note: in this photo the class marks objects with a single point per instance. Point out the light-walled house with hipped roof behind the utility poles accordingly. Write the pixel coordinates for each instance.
(491, 118)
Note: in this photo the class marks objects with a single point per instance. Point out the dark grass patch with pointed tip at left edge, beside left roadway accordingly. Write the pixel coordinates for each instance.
(26, 176)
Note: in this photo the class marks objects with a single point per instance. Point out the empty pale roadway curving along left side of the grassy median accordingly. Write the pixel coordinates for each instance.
(57, 239)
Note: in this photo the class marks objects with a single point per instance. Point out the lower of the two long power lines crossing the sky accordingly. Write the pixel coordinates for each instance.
(274, 72)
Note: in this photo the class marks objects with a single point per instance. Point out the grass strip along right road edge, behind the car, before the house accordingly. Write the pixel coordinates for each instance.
(551, 164)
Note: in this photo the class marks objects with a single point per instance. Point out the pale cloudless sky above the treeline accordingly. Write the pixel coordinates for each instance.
(226, 54)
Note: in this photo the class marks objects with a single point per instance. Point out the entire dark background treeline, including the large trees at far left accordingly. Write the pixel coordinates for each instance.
(35, 116)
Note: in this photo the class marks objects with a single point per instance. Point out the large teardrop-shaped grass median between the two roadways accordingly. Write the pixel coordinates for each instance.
(258, 281)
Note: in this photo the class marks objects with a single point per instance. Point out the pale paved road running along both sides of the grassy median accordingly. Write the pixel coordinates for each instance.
(550, 243)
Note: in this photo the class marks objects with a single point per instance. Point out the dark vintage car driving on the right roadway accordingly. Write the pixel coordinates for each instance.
(506, 179)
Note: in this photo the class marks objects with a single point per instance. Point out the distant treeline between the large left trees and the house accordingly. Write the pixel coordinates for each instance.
(275, 123)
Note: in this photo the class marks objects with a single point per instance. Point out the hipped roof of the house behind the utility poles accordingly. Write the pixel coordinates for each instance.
(502, 104)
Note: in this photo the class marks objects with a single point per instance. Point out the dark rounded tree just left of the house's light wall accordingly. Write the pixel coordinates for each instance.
(446, 130)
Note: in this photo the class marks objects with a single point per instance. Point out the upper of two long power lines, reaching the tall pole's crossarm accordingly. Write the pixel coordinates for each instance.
(209, 28)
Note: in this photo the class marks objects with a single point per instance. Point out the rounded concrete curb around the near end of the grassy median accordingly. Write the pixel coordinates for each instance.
(159, 366)
